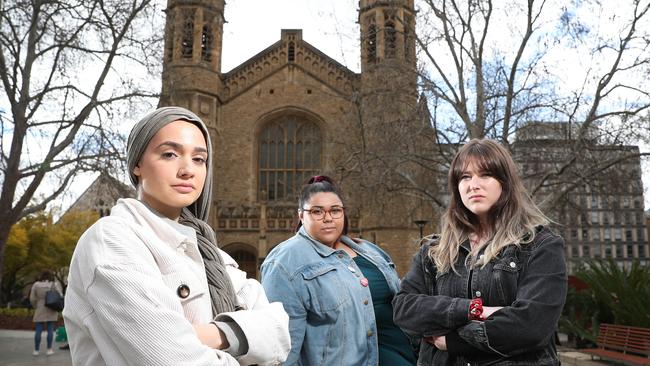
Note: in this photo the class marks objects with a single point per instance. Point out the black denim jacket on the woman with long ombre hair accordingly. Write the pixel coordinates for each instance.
(529, 281)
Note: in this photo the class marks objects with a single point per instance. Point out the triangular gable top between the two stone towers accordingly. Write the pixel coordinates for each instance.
(291, 49)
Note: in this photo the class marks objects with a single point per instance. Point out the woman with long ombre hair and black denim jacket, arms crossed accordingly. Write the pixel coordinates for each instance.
(490, 289)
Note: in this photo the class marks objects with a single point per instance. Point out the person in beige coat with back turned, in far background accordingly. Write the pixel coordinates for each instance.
(44, 317)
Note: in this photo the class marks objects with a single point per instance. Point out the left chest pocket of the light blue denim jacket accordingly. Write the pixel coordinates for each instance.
(326, 291)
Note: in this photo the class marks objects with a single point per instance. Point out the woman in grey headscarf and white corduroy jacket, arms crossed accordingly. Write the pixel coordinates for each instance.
(148, 285)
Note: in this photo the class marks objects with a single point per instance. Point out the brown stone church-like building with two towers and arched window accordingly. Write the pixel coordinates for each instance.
(291, 112)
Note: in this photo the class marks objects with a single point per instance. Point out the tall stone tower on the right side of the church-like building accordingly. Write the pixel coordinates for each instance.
(390, 115)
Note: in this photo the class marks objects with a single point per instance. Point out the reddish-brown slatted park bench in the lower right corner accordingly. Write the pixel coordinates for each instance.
(629, 345)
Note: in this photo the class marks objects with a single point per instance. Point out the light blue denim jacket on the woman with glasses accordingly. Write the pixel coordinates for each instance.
(331, 316)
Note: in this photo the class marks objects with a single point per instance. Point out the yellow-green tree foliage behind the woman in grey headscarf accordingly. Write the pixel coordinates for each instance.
(37, 243)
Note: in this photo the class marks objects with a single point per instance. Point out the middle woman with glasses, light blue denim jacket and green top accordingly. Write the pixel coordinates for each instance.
(336, 290)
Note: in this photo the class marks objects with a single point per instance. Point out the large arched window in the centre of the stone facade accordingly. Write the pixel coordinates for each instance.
(289, 153)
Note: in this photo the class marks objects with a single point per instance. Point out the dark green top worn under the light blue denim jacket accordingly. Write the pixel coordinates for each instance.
(394, 347)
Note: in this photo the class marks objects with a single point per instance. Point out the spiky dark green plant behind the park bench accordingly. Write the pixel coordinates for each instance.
(613, 295)
